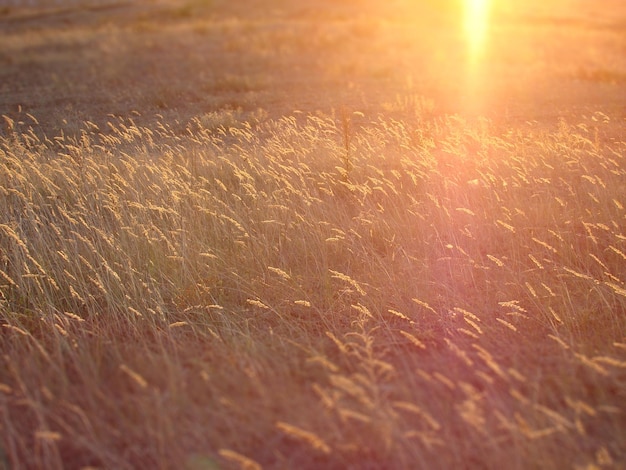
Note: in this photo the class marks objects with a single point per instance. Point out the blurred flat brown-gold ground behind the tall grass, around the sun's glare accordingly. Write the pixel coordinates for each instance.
(184, 58)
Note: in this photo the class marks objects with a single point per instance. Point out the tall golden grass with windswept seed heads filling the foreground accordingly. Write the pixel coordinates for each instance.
(338, 289)
